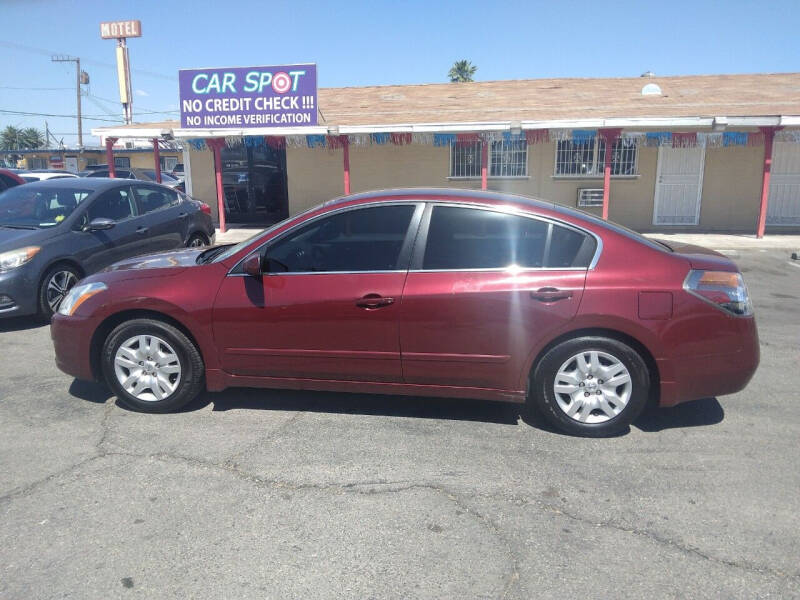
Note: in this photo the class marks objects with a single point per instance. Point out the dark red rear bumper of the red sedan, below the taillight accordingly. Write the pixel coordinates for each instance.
(691, 377)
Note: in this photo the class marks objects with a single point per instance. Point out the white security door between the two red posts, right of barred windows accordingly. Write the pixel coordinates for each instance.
(679, 184)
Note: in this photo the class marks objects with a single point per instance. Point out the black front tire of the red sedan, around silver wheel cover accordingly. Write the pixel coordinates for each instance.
(190, 381)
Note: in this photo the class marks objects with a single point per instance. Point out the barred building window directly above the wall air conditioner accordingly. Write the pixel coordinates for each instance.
(588, 159)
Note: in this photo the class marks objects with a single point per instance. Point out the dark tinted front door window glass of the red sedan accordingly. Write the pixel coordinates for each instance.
(366, 239)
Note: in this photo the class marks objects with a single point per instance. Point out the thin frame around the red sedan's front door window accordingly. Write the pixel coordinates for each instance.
(406, 250)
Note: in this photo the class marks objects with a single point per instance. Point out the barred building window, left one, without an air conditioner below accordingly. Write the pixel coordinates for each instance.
(506, 159)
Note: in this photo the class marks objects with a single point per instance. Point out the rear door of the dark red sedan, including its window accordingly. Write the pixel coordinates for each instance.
(483, 286)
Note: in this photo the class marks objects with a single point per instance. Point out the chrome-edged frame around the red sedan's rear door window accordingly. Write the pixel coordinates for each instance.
(422, 239)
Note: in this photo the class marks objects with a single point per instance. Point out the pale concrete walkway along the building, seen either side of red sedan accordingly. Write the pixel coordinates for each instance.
(716, 241)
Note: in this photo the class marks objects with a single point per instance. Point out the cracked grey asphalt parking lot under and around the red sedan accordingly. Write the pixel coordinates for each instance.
(276, 494)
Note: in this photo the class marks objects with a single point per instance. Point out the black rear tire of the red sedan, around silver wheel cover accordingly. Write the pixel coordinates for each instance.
(543, 395)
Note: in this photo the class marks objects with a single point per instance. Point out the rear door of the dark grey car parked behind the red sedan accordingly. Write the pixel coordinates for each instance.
(163, 215)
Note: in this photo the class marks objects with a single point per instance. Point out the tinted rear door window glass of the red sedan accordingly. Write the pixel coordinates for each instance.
(468, 238)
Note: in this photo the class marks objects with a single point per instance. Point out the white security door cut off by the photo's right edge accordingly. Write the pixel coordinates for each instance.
(784, 185)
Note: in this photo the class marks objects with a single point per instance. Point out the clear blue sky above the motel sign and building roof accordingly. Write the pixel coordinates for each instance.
(373, 43)
